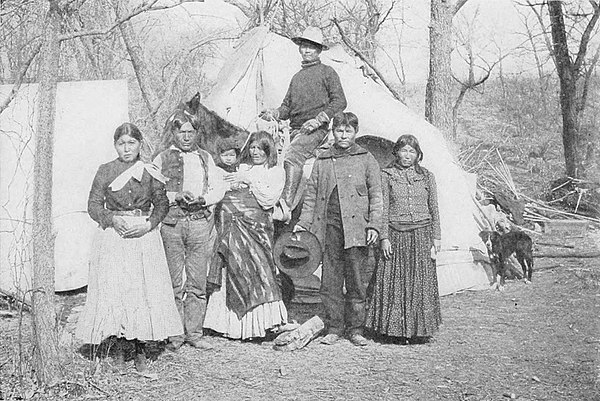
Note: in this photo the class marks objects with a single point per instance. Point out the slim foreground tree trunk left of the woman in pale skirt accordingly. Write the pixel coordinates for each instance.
(46, 355)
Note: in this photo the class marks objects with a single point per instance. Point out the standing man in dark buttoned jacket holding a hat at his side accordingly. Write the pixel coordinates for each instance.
(343, 207)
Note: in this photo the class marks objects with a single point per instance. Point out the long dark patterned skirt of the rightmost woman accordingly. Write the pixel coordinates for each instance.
(405, 298)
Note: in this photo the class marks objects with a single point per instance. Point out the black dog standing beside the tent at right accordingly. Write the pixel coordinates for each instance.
(501, 246)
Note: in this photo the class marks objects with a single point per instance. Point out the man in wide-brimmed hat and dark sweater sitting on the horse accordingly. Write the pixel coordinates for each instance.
(314, 96)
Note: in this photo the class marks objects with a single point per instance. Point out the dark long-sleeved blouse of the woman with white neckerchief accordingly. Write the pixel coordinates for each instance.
(103, 202)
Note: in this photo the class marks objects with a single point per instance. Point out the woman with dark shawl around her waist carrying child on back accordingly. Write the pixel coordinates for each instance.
(249, 301)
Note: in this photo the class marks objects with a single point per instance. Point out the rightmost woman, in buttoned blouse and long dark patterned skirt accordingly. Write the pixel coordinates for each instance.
(405, 300)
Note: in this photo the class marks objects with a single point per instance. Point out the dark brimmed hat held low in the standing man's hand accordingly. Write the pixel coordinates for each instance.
(297, 254)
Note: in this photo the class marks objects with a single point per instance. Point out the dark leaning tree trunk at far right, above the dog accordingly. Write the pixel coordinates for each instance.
(574, 151)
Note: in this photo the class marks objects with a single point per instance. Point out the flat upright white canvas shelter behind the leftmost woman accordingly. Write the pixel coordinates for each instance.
(87, 113)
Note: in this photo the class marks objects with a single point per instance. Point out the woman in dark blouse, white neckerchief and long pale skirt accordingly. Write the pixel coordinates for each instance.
(129, 294)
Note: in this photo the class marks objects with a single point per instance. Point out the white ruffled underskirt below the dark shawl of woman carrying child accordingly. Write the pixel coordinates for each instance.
(254, 324)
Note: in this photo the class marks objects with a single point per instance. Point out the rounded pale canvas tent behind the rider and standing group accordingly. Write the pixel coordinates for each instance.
(257, 75)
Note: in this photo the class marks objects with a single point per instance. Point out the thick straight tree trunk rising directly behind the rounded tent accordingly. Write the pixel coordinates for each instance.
(438, 101)
